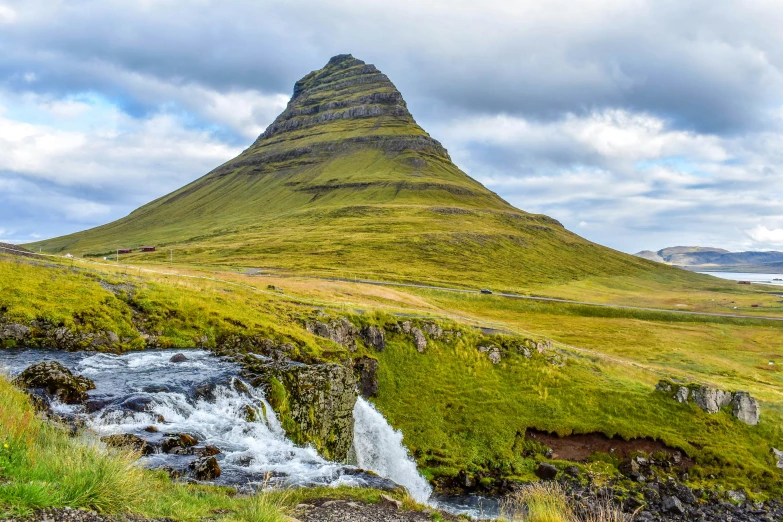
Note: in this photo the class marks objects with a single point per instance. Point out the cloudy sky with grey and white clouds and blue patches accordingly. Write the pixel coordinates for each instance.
(637, 123)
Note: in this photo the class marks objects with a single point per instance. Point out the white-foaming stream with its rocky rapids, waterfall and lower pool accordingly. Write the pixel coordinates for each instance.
(139, 391)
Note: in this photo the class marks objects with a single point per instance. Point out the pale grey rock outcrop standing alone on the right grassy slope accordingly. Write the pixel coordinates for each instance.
(712, 400)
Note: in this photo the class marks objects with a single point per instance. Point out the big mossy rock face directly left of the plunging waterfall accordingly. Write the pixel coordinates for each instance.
(317, 405)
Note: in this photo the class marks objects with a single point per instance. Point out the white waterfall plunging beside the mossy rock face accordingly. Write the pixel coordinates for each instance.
(379, 449)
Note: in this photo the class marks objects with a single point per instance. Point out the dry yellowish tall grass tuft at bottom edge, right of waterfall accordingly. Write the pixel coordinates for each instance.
(550, 502)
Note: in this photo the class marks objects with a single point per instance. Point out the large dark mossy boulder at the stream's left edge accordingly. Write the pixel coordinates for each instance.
(56, 381)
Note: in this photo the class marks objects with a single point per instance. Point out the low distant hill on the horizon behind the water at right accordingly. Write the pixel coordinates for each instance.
(717, 259)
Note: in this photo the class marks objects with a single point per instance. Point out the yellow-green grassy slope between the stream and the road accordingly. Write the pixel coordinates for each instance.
(457, 410)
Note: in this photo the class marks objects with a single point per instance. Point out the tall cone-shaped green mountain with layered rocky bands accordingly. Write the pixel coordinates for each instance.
(345, 182)
